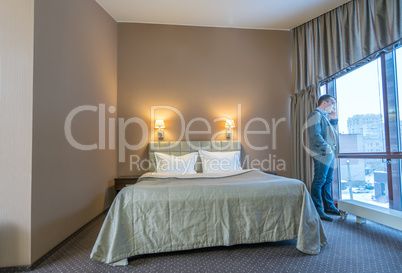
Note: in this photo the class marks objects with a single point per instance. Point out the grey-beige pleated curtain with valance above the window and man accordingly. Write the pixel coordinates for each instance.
(329, 45)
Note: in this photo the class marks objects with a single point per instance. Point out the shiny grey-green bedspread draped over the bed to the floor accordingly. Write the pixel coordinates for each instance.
(164, 213)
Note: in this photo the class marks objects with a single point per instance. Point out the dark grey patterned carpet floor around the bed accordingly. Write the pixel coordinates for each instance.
(352, 248)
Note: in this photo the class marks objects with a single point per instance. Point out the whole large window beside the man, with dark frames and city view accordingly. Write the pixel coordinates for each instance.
(370, 125)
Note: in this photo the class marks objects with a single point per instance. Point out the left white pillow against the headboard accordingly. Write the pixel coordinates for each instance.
(171, 164)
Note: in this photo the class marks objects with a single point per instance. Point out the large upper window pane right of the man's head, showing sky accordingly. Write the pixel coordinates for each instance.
(360, 110)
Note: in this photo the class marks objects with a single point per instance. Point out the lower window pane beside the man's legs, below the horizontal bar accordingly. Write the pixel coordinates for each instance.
(365, 180)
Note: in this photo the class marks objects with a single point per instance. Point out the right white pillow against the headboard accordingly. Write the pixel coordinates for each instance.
(217, 162)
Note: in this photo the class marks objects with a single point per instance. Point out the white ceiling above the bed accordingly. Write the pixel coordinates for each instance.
(252, 14)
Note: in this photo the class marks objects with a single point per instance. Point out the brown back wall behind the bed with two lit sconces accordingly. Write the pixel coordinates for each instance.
(206, 73)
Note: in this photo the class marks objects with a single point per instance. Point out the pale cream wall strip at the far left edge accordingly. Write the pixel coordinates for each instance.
(16, 72)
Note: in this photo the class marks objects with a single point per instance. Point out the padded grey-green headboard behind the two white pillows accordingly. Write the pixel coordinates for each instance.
(179, 148)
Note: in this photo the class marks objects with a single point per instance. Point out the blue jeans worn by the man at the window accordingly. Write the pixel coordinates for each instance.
(321, 186)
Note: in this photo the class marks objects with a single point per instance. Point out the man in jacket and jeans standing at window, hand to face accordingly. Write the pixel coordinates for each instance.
(323, 138)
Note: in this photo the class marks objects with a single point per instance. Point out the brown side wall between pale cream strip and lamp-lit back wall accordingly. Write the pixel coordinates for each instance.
(75, 64)
